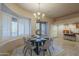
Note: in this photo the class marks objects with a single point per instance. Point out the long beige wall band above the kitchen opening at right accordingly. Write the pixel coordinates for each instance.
(67, 19)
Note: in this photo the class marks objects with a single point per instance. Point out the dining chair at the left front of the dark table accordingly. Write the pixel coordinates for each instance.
(27, 46)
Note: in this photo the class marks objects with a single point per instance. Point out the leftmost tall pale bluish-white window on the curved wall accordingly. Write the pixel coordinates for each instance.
(5, 26)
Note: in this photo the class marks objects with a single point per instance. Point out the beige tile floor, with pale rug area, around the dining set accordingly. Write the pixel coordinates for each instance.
(61, 48)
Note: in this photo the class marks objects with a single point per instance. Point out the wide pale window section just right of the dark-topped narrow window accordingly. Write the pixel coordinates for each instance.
(24, 27)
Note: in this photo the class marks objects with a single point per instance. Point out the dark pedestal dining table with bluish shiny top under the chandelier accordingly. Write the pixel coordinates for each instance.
(38, 42)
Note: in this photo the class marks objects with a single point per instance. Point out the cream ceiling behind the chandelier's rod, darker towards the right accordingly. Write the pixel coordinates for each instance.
(52, 10)
